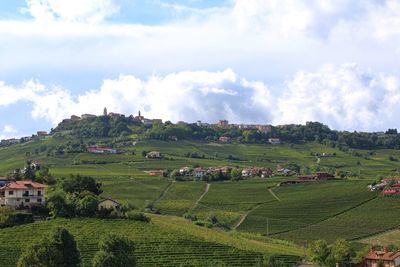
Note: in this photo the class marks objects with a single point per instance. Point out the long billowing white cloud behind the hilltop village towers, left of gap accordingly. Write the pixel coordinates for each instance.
(190, 96)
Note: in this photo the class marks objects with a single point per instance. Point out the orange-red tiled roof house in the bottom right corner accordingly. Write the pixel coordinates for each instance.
(374, 258)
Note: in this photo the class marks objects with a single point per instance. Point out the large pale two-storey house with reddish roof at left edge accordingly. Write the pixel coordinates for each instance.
(22, 194)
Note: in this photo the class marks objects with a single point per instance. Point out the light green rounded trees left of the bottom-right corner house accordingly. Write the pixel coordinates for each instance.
(339, 252)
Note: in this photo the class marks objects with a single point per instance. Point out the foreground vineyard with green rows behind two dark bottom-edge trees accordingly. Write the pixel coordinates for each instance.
(159, 243)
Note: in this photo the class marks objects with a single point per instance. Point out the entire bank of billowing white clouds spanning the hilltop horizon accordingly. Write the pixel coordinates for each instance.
(346, 97)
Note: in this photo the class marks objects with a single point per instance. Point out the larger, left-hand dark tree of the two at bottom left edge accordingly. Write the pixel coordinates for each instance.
(57, 249)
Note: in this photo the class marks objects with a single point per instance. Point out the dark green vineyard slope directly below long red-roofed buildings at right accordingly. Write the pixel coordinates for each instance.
(306, 204)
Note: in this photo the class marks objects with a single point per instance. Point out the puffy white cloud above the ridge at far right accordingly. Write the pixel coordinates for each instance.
(344, 97)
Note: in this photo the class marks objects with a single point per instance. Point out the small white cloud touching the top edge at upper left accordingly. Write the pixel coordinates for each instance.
(91, 11)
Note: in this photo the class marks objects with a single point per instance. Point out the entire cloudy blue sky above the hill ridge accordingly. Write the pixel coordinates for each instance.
(247, 61)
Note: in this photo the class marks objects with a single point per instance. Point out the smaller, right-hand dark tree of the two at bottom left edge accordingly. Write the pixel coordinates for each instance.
(114, 251)
